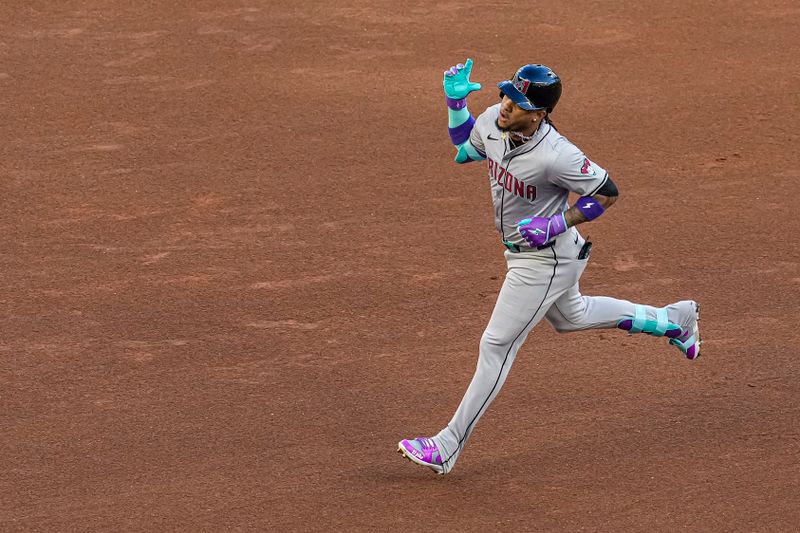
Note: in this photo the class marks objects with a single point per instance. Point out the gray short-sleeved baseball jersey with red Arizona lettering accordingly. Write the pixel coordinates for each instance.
(534, 179)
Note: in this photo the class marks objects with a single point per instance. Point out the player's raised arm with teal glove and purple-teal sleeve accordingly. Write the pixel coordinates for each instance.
(459, 120)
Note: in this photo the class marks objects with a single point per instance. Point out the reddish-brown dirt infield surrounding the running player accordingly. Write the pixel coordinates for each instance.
(238, 264)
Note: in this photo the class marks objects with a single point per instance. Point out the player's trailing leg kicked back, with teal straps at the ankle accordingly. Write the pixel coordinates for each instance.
(676, 321)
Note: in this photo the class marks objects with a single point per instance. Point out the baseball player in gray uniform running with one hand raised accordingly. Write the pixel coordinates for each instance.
(532, 168)
